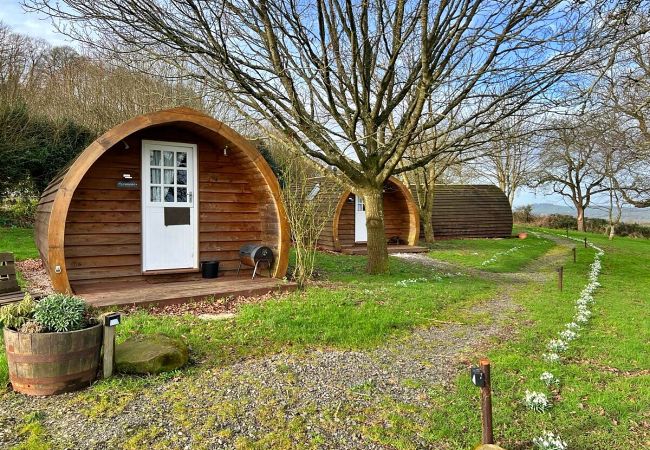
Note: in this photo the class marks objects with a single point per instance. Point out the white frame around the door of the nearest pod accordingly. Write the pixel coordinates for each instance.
(193, 203)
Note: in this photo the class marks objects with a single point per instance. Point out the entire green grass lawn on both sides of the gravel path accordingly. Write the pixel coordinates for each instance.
(601, 403)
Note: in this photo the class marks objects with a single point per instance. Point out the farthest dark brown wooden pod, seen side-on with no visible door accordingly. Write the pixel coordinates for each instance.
(471, 211)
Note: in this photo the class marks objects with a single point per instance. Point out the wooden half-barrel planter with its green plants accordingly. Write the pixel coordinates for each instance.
(52, 345)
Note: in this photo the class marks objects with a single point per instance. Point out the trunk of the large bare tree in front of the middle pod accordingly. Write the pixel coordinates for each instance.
(377, 246)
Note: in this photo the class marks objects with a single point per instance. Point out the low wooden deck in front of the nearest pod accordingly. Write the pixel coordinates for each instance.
(144, 293)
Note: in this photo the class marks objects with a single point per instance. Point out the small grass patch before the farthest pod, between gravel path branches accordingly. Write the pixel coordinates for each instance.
(494, 255)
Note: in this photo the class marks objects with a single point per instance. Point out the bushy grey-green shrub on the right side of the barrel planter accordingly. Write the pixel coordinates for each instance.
(61, 312)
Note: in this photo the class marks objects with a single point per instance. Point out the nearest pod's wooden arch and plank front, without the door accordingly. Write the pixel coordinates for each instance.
(89, 230)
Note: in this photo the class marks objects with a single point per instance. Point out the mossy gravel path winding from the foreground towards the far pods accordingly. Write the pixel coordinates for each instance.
(323, 398)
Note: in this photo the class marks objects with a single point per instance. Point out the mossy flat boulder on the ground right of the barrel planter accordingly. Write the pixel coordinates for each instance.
(150, 354)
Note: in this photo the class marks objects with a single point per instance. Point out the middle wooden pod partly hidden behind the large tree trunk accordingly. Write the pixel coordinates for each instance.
(345, 230)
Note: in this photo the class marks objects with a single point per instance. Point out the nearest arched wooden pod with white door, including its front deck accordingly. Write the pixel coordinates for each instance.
(133, 217)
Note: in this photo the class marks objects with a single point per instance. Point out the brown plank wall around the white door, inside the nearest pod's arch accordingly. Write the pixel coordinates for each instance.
(103, 228)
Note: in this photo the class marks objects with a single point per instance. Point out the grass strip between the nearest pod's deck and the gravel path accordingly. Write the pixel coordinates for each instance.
(343, 314)
